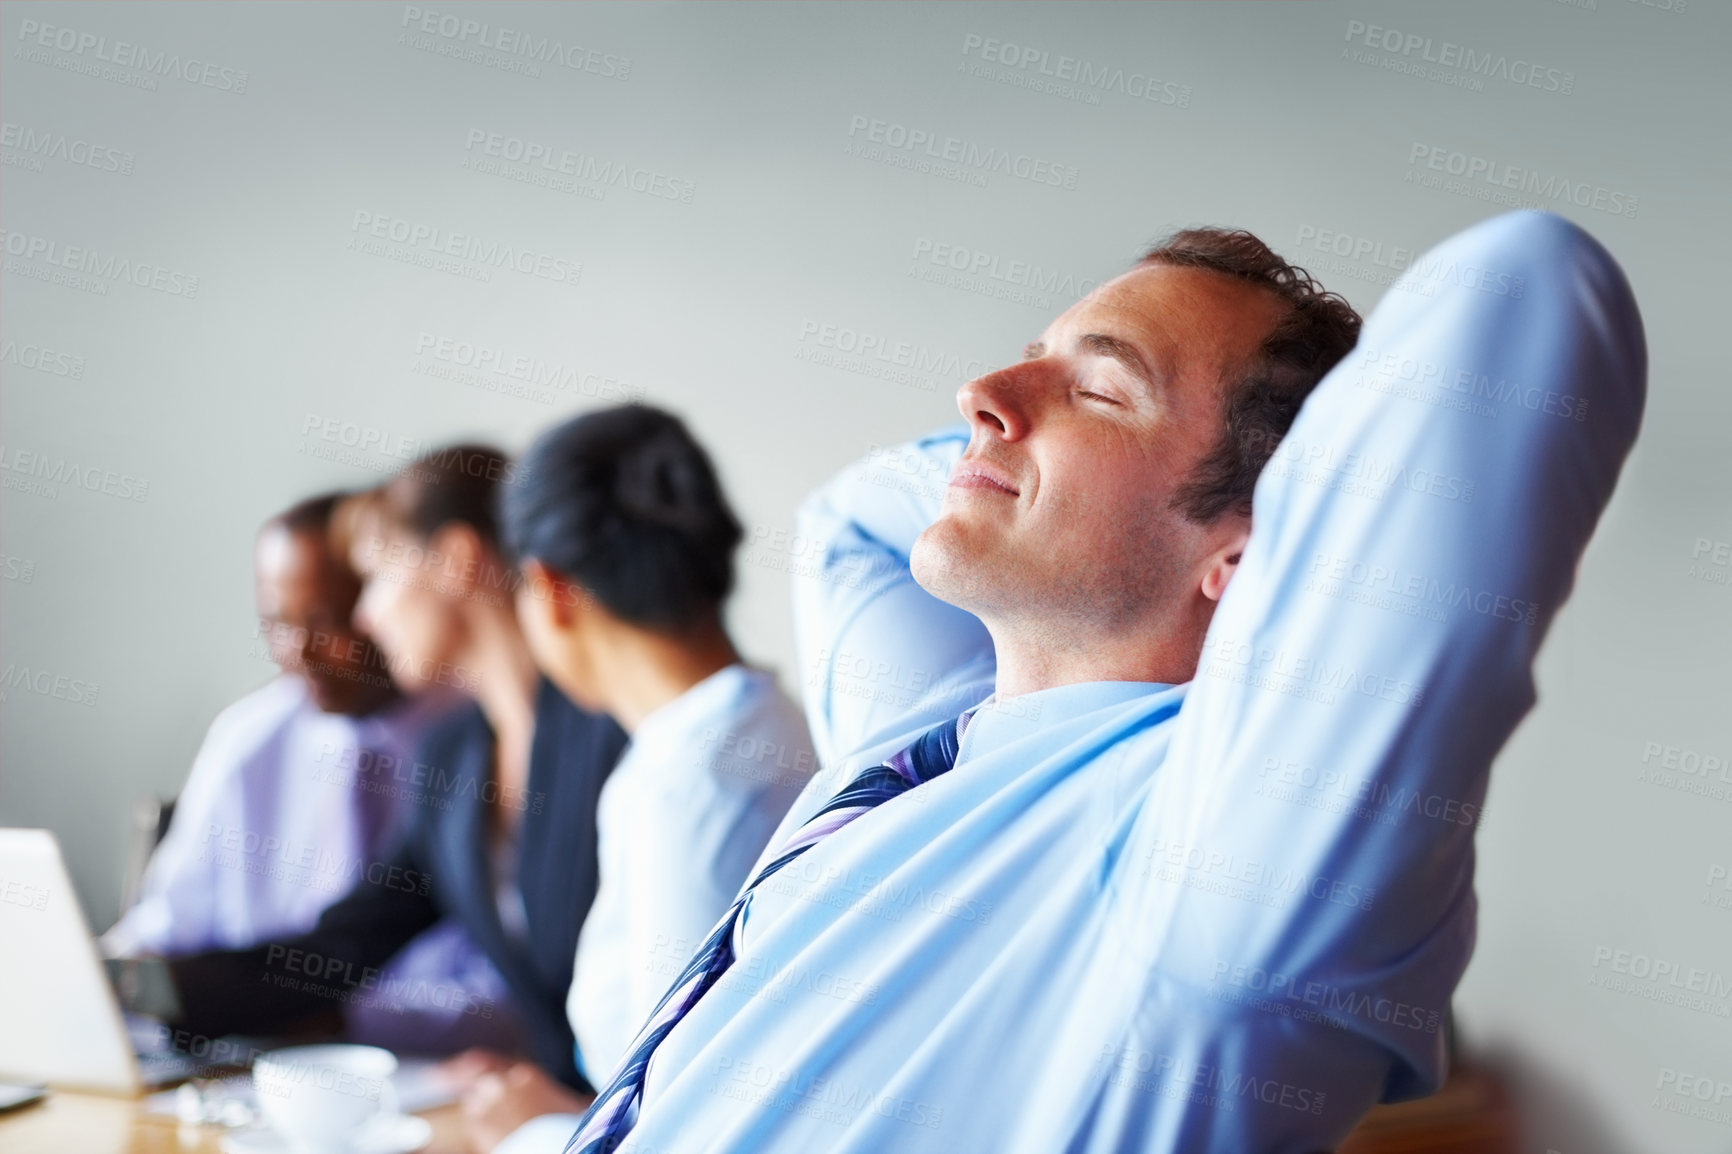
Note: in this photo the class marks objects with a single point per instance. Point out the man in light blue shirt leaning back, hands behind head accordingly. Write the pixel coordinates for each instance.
(1050, 904)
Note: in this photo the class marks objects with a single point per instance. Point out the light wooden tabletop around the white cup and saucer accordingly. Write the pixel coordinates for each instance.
(93, 1124)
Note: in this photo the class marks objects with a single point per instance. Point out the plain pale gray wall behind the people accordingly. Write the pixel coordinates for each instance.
(238, 145)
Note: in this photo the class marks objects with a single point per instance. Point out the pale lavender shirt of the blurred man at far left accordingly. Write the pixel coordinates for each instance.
(285, 812)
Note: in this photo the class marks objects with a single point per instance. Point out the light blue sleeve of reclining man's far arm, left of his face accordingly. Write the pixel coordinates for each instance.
(877, 651)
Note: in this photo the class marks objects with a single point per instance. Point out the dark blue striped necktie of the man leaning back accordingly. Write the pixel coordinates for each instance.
(614, 1112)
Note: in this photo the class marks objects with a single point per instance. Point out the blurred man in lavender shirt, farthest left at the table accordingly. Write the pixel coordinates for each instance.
(290, 803)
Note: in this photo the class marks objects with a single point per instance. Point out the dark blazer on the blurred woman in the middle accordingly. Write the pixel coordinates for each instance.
(443, 867)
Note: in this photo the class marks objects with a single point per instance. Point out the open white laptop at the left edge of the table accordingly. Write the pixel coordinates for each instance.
(60, 1018)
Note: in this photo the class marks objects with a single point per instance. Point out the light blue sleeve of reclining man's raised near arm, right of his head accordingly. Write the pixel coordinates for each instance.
(1307, 852)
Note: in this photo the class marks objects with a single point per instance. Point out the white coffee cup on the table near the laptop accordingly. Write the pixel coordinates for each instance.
(321, 1099)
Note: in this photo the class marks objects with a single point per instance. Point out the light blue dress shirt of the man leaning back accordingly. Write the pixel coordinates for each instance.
(1225, 916)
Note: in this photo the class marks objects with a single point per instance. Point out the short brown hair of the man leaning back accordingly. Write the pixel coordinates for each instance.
(1317, 332)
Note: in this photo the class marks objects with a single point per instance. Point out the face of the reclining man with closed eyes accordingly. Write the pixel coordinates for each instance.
(1092, 545)
